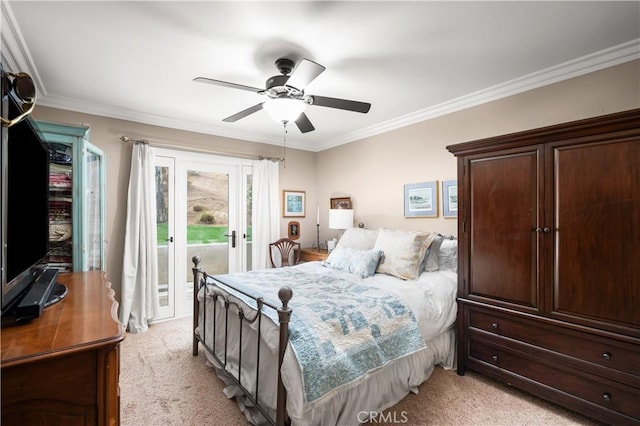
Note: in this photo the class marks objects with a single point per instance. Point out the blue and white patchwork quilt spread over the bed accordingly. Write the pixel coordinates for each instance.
(340, 328)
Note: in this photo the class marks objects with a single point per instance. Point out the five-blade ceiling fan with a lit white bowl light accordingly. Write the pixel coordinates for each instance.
(286, 97)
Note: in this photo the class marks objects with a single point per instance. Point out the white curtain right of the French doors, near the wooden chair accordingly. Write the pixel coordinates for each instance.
(265, 216)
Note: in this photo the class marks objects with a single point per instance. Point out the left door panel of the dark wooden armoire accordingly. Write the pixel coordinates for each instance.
(504, 193)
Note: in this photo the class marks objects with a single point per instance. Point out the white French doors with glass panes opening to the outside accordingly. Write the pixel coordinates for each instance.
(203, 209)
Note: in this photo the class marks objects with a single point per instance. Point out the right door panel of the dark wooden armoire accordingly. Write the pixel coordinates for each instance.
(597, 231)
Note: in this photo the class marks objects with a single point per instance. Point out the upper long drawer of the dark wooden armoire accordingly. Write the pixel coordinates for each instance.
(584, 346)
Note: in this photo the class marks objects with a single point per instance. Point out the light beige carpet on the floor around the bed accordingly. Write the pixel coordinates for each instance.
(161, 383)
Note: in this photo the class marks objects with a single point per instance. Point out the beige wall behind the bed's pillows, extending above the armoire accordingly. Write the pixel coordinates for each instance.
(373, 170)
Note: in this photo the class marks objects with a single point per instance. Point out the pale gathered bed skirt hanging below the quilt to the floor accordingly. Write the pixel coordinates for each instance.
(350, 404)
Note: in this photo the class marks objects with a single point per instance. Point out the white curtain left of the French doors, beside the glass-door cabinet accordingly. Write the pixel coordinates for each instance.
(139, 301)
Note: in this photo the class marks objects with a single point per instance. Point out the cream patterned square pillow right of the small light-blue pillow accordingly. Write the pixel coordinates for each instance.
(403, 252)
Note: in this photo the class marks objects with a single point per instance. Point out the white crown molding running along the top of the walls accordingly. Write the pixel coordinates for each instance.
(16, 56)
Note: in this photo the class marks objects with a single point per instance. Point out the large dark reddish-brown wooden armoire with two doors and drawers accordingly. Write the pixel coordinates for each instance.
(549, 263)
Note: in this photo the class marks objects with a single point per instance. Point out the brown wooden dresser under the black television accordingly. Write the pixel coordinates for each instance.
(63, 367)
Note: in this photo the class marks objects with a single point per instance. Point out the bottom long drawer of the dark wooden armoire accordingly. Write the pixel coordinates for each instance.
(607, 394)
